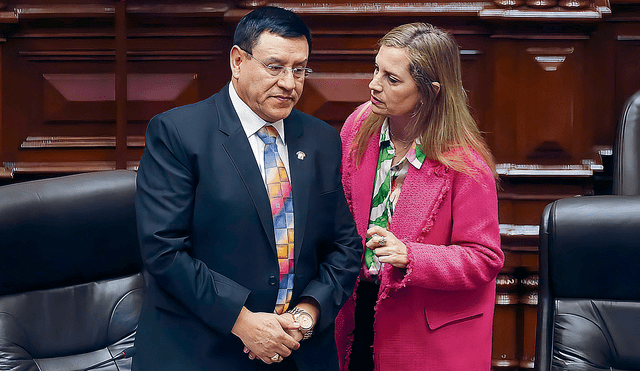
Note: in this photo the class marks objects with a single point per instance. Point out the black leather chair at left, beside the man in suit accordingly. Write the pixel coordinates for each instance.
(71, 286)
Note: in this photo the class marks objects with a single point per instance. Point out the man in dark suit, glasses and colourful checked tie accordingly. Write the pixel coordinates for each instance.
(239, 279)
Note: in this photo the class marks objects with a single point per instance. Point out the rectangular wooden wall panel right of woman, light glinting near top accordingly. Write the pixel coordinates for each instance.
(539, 111)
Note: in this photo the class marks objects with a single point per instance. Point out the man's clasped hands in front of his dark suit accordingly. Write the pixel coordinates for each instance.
(265, 335)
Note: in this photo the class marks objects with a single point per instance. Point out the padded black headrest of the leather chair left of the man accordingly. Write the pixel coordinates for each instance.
(67, 230)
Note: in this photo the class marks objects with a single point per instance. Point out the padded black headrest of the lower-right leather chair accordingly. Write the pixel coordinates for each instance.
(593, 247)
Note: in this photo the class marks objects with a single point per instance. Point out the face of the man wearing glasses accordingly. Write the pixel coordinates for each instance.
(270, 97)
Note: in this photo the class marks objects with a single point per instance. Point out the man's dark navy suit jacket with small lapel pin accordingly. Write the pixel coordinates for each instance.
(207, 238)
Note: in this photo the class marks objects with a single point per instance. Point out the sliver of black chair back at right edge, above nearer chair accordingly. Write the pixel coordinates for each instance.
(626, 150)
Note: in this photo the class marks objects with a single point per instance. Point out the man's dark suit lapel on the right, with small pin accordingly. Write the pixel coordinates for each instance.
(300, 177)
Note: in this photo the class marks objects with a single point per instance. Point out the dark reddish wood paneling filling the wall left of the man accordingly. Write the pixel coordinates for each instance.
(84, 85)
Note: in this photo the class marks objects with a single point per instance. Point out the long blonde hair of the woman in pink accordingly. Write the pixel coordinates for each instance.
(442, 121)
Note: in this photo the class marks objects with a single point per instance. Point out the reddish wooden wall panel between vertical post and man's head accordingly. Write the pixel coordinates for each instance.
(155, 56)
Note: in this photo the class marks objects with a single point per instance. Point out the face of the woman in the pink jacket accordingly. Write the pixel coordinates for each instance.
(393, 91)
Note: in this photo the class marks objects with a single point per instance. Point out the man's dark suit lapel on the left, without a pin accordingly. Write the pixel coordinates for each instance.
(237, 147)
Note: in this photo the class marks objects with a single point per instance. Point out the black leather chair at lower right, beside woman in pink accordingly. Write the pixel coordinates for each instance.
(589, 307)
